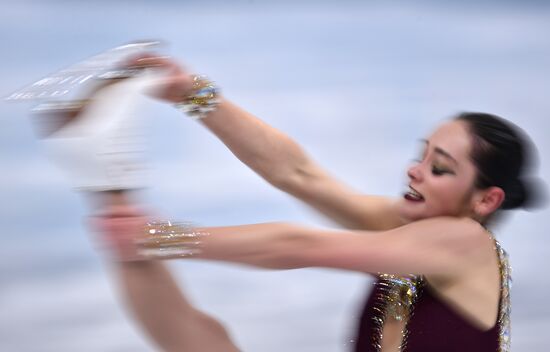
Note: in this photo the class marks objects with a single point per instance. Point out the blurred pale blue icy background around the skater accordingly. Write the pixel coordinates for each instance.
(356, 82)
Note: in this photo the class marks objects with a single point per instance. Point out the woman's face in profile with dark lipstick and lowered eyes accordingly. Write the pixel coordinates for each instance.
(441, 183)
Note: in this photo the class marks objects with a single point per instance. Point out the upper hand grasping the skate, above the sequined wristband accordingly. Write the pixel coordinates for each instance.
(175, 82)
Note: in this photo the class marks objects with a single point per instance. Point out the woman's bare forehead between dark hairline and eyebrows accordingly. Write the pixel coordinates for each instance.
(454, 138)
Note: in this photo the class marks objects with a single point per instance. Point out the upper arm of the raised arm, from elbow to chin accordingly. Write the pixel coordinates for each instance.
(342, 204)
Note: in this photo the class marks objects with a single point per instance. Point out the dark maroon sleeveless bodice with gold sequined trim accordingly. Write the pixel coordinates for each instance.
(430, 325)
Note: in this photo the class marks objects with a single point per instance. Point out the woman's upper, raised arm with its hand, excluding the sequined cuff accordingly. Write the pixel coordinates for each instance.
(280, 160)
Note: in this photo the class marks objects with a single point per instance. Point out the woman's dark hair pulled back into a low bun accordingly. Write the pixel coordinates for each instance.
(501, 152)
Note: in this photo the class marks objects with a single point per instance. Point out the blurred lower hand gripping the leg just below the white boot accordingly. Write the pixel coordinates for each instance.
(118, 228)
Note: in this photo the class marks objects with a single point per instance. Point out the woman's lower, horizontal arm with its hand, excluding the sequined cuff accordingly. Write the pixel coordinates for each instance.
(437, 246)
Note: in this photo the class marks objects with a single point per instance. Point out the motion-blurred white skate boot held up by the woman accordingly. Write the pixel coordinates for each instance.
(103, 149)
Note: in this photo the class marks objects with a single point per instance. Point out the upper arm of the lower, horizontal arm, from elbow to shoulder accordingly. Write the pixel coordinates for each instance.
(437, 247)
